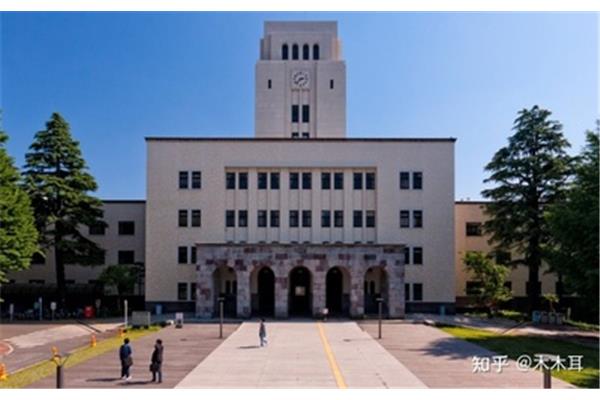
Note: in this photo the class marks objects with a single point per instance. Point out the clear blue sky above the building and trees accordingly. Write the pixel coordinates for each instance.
(120, 77)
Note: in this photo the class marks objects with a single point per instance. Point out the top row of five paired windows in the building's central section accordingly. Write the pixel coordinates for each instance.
(302, 180)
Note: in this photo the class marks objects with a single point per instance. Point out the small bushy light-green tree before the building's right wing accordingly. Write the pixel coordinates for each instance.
(490, 277)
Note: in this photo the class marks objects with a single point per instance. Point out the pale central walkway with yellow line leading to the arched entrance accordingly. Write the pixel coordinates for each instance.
(301, 355)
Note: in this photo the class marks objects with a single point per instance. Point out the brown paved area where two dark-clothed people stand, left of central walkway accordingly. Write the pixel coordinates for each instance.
(184, 349)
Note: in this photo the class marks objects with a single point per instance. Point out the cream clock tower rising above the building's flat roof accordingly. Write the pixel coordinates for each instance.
(300, 82)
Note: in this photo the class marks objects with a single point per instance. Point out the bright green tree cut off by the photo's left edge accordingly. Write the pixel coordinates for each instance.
(18, 236)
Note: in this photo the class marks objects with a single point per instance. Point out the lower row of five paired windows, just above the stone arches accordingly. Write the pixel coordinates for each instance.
(359, 218)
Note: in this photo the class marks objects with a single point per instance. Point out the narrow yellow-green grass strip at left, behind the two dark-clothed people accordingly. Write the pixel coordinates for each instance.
(43, 369)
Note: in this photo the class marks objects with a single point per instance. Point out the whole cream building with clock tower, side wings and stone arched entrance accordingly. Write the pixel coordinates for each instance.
(300, 217)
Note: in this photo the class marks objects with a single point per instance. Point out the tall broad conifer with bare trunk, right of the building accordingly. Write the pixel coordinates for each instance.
(529, 175)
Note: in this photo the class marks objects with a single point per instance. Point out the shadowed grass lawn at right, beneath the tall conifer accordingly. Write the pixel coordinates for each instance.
(514, 346)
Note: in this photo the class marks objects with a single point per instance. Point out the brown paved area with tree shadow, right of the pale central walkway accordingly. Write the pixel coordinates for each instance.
(442, 361)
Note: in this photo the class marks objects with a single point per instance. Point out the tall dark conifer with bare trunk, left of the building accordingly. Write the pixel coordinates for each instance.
(59, 184)
